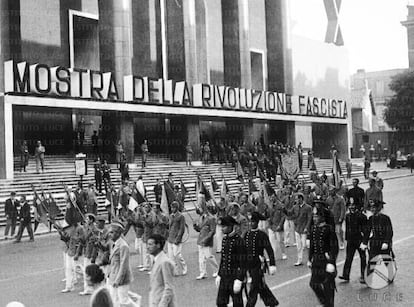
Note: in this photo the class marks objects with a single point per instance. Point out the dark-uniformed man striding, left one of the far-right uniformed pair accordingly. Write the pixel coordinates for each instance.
(355, 231)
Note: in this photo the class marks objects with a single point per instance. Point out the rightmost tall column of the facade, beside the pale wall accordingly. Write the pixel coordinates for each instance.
(278, 58)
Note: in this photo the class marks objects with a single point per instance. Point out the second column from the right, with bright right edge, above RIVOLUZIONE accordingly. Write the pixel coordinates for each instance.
(235, 43)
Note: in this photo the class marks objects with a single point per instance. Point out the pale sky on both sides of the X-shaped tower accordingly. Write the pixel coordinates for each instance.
(371, 29)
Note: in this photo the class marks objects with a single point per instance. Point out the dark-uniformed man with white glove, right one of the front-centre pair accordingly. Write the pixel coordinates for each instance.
(256, 242)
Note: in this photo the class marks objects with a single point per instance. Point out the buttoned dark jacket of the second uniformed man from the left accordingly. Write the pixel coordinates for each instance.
(256, 242)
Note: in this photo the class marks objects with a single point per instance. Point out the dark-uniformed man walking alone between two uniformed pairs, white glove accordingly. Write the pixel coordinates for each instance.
(323, 251)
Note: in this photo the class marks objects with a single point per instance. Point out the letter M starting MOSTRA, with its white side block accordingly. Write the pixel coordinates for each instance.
(16, 77)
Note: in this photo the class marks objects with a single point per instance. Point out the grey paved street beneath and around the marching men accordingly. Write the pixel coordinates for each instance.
(32, 272)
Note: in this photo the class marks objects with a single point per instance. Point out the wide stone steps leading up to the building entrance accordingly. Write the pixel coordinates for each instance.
(60, 169)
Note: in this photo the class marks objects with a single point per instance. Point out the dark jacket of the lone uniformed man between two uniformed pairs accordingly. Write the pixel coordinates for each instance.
(323, 240)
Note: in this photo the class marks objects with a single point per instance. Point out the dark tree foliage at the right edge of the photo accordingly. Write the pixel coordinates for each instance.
(399, 112)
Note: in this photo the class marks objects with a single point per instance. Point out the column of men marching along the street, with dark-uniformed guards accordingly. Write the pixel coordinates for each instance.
(246, 228)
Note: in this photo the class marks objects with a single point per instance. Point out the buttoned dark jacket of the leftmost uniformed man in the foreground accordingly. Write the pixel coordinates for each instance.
(233, 258)
